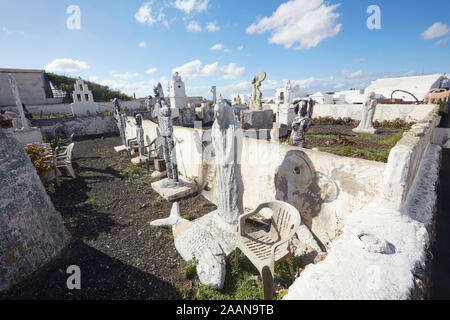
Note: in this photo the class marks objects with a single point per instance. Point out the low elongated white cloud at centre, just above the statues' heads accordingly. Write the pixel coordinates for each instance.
(195, 69)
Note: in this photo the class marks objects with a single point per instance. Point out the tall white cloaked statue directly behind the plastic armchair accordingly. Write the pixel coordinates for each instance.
(224, 141)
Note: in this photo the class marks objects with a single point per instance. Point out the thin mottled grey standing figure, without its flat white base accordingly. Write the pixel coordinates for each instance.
(166, 131)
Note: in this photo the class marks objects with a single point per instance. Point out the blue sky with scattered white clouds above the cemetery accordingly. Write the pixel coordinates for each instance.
(321, 45)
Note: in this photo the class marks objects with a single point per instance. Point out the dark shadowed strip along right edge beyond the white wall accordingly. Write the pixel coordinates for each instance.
(440, 267)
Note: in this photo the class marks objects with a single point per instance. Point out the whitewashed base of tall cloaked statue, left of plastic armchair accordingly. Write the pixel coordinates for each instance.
(222, 232)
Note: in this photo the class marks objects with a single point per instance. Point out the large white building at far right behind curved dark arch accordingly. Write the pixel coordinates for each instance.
(417, 85)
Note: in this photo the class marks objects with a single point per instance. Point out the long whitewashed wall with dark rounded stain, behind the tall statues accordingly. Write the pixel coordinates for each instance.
(325, 188)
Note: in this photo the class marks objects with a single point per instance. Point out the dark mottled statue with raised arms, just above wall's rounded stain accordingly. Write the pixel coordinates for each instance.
(304, 110)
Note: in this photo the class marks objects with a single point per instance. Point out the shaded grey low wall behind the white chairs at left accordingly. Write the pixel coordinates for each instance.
(81, 126)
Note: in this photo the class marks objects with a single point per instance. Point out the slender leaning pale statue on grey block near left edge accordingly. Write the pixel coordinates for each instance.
(25, 134)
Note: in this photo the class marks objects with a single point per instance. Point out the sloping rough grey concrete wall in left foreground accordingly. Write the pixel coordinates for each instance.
(31, 230)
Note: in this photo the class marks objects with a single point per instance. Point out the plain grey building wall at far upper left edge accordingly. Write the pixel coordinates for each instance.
(31, 88)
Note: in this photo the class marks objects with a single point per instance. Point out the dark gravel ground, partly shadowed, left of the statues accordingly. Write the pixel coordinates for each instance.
(108, 209)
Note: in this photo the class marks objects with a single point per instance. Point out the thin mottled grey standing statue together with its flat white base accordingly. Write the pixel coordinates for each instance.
(173, 187)
